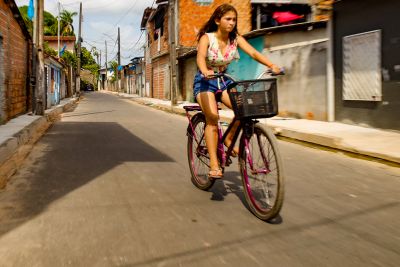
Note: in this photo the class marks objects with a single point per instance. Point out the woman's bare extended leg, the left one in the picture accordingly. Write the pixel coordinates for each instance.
(209, 106)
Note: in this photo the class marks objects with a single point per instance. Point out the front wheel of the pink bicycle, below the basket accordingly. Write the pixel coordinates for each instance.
(261, 170)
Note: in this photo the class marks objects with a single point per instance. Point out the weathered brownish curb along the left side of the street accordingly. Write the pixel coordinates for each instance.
(17, 147)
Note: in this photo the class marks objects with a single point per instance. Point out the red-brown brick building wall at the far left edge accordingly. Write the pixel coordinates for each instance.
(15, 47)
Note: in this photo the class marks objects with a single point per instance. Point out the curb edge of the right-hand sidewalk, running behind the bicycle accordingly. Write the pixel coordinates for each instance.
(324, 140)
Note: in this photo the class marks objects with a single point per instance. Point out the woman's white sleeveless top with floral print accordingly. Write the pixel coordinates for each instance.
(215, 60)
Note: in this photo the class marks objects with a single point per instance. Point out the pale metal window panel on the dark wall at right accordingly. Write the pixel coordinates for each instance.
(362, 67)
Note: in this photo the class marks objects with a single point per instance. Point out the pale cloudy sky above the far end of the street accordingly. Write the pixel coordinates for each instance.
(101, 19)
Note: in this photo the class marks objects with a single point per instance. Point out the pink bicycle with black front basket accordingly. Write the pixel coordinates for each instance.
(260, 163)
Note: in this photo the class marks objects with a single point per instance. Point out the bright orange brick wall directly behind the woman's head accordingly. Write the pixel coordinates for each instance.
(192, 17)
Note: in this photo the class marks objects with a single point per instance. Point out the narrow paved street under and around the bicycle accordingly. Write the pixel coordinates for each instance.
(109, 185)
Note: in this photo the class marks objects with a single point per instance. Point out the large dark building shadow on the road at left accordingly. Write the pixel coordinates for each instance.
(75, 154)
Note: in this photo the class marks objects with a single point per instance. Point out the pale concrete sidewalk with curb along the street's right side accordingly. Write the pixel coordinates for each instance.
(365, 141)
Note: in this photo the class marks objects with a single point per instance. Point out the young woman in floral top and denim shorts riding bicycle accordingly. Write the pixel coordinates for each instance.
(218, 43)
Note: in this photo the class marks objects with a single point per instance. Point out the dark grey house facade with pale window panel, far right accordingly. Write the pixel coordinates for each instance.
(367, 63)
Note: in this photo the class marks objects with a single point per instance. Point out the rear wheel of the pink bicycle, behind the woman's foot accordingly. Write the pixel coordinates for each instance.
(199, 161)
